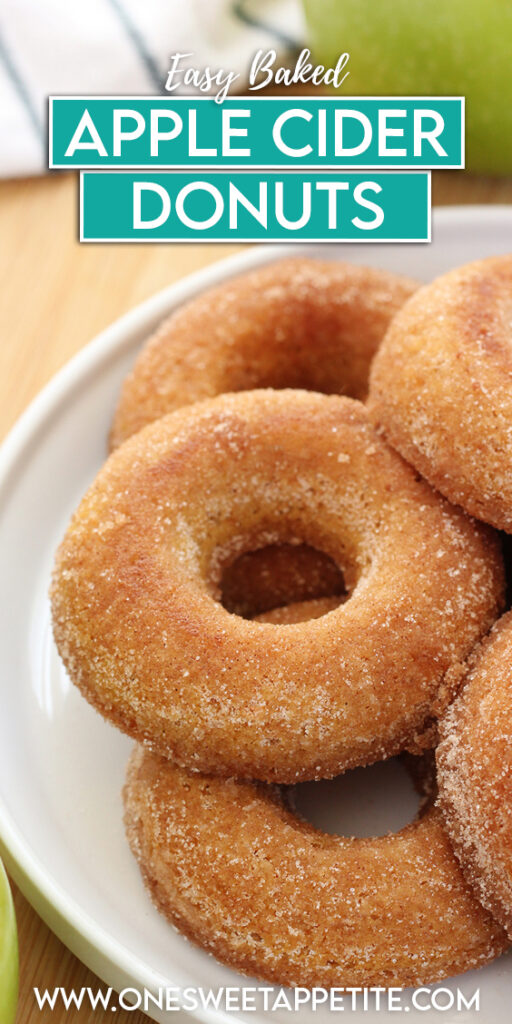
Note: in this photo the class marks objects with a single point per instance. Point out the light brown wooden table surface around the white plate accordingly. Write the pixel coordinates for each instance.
(56, 296)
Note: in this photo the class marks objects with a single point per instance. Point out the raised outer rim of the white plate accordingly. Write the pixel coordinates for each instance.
(63, 914)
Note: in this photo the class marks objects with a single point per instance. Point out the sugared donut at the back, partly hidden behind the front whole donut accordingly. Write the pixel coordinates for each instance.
(296, 324)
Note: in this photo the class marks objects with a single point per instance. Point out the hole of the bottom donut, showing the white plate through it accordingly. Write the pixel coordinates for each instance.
(364, 802)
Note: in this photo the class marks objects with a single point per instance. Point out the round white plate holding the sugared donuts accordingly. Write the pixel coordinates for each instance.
(61, 765)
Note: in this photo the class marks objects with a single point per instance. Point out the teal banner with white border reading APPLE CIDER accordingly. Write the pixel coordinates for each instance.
(265, 133)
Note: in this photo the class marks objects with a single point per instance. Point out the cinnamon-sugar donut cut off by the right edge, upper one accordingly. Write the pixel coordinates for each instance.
(442, 388)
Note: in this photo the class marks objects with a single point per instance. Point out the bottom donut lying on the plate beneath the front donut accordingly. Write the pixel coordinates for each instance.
(243, 876)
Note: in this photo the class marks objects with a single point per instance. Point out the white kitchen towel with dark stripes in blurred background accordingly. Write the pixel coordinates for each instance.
(120, 47)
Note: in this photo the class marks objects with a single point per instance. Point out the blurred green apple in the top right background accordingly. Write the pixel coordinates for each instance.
(429, 48)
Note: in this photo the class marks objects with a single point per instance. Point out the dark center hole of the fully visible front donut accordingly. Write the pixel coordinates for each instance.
(278, 576)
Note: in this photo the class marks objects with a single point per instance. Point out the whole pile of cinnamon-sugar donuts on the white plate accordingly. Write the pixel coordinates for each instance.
(290, 566)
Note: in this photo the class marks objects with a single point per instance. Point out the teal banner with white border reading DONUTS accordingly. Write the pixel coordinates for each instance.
(255, 207)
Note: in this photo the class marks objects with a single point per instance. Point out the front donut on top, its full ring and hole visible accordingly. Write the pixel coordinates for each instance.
(142, 632)
